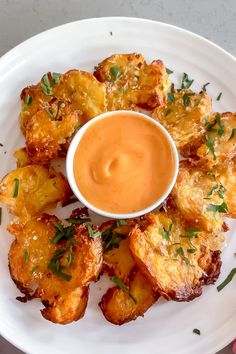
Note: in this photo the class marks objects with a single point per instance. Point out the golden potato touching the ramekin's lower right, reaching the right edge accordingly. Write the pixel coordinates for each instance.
(205, 197)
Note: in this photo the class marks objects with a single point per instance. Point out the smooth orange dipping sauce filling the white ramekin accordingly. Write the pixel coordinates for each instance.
(123, 163)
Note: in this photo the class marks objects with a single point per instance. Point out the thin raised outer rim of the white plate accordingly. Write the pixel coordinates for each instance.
(6, 57)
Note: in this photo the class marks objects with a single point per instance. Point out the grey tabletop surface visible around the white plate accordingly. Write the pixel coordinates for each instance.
(21, 19)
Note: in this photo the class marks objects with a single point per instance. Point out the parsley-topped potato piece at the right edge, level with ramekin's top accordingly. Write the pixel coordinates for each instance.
(219, 145)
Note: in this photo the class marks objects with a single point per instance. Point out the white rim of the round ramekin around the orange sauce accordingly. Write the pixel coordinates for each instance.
(70, 160)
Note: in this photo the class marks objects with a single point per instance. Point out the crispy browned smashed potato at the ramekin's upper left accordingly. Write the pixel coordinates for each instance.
(50, 121)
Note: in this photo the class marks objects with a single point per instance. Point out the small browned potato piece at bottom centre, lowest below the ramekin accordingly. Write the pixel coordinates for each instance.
(120, 306)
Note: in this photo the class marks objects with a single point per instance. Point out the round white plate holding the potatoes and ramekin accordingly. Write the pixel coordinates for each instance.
(166, 327)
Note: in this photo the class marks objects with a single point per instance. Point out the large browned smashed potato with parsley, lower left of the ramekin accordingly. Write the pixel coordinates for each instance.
(56, 264)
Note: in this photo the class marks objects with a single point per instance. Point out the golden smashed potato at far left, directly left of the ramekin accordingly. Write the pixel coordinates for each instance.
(30, 190)
